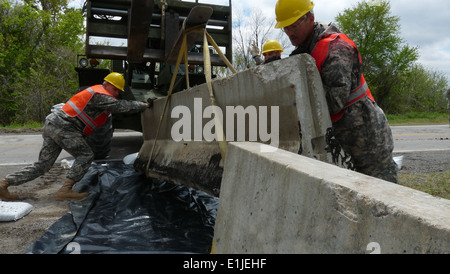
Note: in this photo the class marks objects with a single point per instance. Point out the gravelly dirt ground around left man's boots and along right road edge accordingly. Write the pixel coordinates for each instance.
(17, 236)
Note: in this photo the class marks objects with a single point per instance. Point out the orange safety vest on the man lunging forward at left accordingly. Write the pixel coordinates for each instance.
(75, 108)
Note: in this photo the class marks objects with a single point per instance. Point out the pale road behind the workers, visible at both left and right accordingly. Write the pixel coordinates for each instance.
(23, 149)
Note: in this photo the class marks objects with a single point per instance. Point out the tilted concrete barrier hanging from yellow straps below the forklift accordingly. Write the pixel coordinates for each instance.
(287, 93)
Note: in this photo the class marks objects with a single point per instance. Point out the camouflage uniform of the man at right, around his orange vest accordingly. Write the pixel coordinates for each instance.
(363, 131)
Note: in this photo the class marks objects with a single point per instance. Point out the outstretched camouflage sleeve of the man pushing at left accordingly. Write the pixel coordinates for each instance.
(105, 102)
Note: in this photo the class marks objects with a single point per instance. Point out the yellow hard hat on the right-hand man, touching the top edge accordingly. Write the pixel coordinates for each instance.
(289, 11)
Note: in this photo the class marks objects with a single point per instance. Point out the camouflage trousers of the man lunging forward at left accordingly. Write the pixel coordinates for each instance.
(56, 139)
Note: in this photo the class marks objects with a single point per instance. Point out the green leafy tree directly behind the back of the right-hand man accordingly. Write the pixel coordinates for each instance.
(385, 55)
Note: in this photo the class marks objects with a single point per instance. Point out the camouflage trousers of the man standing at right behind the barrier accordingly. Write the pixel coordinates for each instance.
(368, 139)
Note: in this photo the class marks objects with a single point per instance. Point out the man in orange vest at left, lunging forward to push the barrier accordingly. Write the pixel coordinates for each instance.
(67, 128)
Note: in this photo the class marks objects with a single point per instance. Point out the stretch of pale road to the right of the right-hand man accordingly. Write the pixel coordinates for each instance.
(426, 138)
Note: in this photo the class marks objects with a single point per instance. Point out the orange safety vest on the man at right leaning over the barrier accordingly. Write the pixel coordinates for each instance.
(320, 54)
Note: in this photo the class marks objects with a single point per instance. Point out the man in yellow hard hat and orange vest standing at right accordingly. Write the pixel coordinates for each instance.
(358, 124)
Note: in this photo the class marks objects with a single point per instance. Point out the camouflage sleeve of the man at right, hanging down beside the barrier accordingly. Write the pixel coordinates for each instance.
(338, 75)
